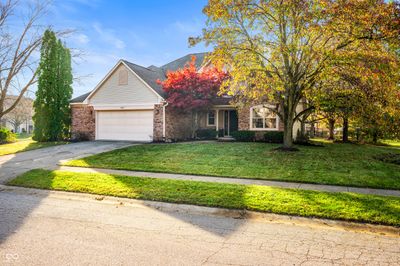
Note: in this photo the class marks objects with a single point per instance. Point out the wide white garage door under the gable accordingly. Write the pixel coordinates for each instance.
(125, 125)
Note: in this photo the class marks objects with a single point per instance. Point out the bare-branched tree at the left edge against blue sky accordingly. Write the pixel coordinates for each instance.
(19, 39)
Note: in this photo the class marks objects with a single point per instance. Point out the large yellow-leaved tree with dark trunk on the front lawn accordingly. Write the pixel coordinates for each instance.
(277, 49)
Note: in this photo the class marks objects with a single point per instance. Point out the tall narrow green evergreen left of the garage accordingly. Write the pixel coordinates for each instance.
(52, 113)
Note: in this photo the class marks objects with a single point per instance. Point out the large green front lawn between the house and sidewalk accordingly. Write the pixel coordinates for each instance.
(335, 164)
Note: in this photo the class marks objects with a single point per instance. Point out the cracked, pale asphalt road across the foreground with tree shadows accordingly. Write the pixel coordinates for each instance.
(54, 228)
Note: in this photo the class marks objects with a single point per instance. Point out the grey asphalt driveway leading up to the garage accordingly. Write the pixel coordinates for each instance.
(13, 165)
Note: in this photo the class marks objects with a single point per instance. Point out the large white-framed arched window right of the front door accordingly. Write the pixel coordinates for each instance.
(261, 118)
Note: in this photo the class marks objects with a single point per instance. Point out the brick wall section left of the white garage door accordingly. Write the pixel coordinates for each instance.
(83, 122)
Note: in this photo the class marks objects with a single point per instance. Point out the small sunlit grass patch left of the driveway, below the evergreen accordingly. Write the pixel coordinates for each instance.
(25, 144)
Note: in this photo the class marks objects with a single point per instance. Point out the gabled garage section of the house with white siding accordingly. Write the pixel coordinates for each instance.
(122, 105)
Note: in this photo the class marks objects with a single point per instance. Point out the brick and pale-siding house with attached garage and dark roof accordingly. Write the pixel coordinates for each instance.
(129, 104)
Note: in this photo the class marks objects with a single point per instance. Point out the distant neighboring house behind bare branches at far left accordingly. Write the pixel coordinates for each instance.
(19, 119)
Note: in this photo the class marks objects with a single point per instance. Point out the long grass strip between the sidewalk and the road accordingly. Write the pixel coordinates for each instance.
(341, 206)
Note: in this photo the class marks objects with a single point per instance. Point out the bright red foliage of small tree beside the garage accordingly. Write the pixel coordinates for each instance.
(188, 89)
